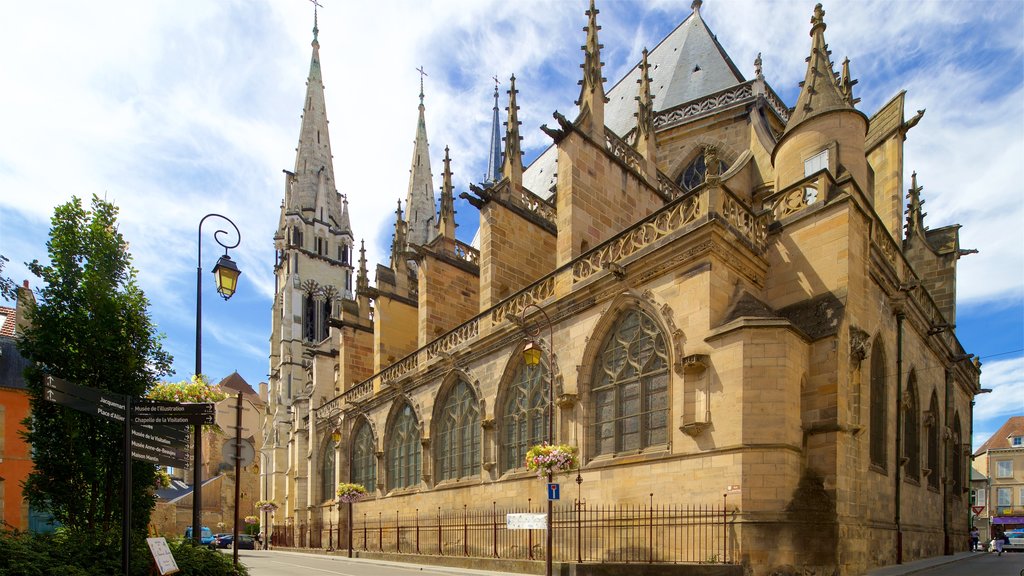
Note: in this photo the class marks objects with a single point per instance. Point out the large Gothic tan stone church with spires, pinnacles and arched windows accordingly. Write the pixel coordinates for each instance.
(732, 296)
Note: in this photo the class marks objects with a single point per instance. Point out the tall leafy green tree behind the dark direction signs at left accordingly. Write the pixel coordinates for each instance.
(91, 326)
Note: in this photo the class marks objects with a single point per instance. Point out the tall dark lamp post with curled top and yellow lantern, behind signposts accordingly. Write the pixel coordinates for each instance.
(227, 275)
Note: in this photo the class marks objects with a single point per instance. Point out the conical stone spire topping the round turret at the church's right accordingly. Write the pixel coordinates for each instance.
(820, 92)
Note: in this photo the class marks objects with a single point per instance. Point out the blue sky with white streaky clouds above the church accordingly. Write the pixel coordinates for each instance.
(176, 109)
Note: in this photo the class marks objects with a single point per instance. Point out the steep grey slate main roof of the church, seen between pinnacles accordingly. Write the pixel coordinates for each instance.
(688, 65)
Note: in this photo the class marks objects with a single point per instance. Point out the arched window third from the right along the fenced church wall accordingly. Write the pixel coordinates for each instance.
(458, 444)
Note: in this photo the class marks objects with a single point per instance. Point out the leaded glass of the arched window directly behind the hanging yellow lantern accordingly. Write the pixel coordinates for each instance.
(525, 416)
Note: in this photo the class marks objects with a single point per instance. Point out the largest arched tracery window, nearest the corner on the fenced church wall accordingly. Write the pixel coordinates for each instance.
(630, 387)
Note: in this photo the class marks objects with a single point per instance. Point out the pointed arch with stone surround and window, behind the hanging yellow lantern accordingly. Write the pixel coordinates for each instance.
(522, 409)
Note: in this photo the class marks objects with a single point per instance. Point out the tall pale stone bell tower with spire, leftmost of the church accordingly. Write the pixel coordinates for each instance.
(314, 275)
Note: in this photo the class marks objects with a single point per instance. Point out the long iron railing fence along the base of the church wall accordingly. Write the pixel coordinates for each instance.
(643, 533)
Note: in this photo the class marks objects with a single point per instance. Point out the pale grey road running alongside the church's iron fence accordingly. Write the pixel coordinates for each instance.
(275, 563)
